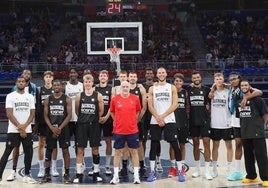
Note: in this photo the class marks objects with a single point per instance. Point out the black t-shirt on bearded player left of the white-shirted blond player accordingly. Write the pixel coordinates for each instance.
(198, 99)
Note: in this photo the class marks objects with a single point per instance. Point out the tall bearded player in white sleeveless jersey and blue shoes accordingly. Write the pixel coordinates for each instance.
(162, 102)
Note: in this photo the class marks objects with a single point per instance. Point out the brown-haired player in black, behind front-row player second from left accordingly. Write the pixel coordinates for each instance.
(43, 93)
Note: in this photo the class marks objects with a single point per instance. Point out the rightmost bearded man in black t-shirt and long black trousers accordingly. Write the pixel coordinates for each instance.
(253, 121)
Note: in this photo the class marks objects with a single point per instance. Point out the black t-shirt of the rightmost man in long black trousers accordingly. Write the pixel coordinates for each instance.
(251, 118)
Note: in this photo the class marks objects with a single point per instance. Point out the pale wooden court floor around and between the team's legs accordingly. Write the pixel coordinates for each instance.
(162, 182)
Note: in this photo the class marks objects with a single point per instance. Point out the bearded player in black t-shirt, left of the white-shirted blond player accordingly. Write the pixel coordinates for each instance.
(199, 122)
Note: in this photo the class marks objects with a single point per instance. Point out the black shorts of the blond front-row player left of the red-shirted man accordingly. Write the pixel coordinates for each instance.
(88, 132)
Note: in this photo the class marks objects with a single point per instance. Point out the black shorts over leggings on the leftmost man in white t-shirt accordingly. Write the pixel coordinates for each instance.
(14, 140)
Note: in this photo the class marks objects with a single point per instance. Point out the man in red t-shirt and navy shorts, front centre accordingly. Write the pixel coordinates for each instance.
(125, 110)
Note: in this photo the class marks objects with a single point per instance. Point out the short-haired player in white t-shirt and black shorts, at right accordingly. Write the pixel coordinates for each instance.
(220, 123)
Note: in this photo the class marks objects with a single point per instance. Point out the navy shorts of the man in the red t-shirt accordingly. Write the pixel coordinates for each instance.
(131, 140)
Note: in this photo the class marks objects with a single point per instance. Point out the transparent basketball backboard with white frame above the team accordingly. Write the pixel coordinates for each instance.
(126, 35)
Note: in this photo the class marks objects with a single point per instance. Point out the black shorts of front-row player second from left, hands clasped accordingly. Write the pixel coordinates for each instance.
(64, 139)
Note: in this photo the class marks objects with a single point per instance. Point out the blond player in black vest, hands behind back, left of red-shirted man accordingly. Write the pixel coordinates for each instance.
(89, 108)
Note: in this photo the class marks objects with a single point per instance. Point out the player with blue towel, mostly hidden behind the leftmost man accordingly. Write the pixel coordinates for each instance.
(32, 89)
